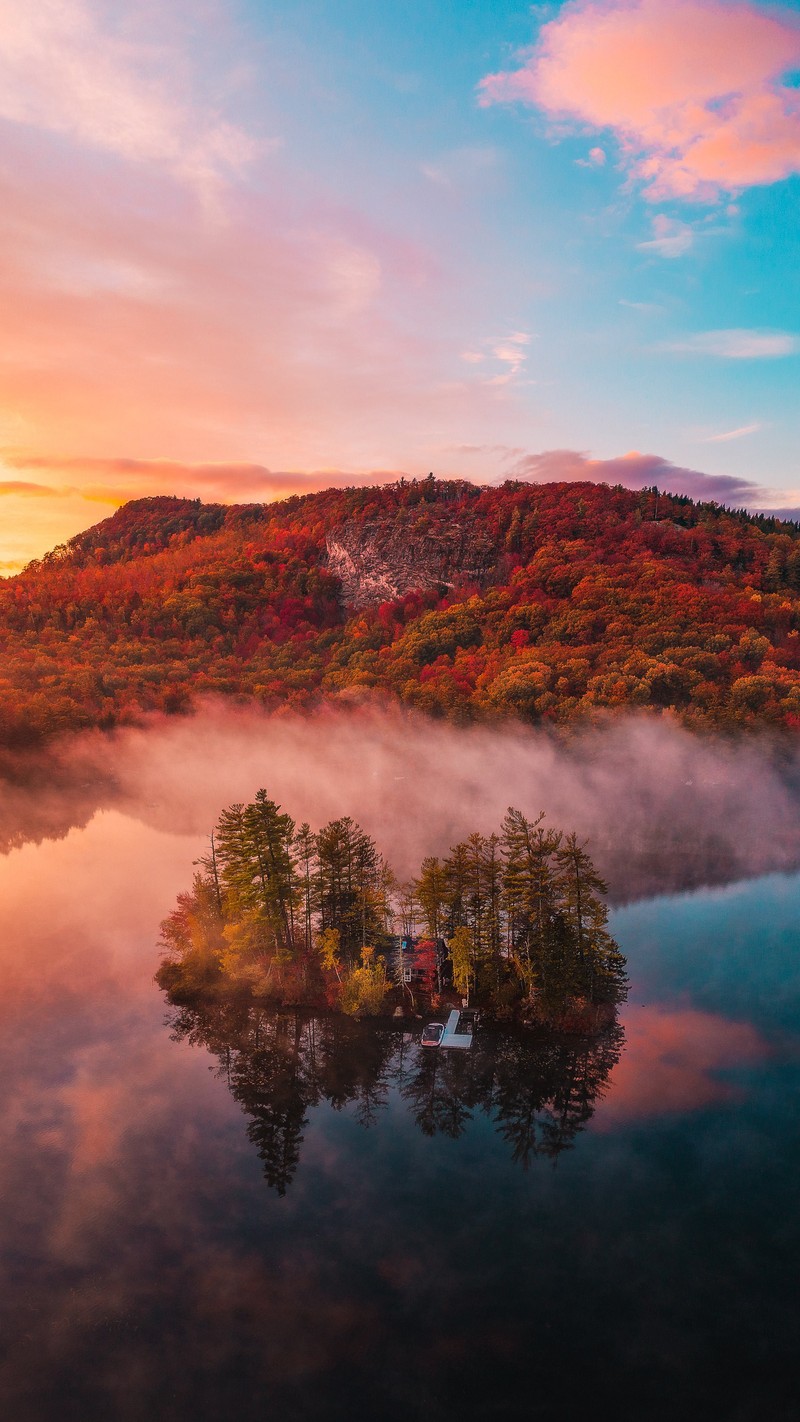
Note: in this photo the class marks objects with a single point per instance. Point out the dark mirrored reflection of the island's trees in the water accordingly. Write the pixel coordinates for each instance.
(539, 1091)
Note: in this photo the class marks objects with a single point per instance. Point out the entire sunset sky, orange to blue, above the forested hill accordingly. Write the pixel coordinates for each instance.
(255, 248)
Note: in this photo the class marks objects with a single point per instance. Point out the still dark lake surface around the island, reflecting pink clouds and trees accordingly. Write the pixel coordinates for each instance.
(241, 1217)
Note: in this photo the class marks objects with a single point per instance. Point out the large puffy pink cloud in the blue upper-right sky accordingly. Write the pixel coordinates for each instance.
(691, 89)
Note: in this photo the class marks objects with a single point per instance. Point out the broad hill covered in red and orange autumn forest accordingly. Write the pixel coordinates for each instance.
(544, 602)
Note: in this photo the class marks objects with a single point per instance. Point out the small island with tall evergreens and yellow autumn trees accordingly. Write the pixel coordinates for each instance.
(514, 924)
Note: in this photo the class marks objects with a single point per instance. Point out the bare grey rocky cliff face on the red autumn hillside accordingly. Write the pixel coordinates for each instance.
(387, 558)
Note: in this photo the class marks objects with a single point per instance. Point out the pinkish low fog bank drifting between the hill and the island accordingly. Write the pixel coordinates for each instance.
(660, 807)
